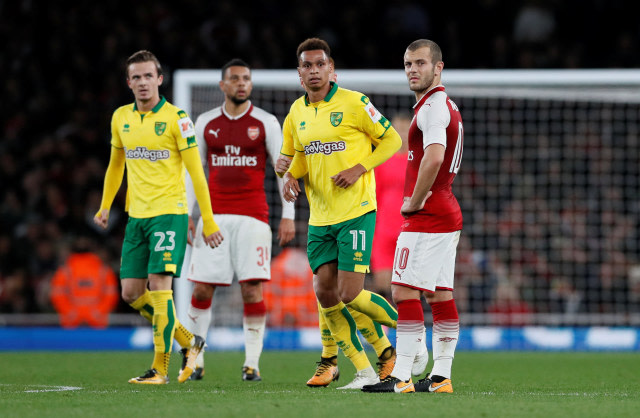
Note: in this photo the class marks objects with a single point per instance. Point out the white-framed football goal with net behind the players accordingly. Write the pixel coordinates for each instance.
(549, 188)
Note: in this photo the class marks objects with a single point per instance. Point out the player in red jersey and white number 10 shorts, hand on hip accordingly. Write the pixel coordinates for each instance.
(426, 249)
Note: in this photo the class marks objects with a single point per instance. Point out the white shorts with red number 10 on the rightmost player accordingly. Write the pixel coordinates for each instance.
(425, 260)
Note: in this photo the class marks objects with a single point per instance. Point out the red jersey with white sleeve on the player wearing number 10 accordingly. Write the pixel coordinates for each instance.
(436, 120)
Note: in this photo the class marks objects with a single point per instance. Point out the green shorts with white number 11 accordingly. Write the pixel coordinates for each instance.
(348, 243)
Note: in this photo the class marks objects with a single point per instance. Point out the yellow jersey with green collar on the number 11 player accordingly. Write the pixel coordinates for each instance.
(333, 135)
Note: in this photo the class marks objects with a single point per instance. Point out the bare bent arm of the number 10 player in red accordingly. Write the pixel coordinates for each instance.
(429, 167)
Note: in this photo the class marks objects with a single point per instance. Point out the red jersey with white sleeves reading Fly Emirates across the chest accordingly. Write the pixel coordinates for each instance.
(235, 159)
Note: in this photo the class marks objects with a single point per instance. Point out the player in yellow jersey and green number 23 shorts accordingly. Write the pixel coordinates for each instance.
(155, 141)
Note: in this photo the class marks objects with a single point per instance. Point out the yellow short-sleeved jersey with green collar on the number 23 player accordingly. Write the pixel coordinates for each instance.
(152, 142)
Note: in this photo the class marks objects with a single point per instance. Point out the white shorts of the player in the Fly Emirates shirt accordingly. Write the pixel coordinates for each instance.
(245, 252)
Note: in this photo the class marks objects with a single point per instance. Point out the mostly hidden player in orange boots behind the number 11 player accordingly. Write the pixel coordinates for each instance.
(327, 368)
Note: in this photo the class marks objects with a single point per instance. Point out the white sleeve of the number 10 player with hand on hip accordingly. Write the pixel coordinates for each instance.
(433, 119)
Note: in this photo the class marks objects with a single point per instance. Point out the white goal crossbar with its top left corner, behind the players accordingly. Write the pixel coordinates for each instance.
(620, 85)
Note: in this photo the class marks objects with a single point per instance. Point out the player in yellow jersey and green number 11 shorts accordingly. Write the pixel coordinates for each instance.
(333, 130)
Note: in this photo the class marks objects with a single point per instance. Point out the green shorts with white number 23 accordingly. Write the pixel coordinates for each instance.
(154, 246)
